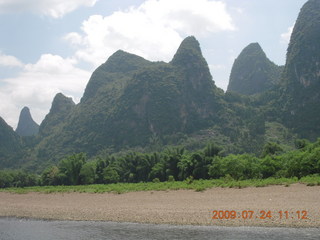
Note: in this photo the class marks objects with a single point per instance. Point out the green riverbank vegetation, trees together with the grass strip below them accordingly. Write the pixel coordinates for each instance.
(174, 168)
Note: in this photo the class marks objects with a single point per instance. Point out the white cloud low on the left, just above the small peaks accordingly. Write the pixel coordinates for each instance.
(37, 85)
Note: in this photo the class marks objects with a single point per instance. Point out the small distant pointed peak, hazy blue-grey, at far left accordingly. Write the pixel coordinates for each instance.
(26, 125)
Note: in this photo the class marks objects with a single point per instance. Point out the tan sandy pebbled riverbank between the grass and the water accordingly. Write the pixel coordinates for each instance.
(174, 207)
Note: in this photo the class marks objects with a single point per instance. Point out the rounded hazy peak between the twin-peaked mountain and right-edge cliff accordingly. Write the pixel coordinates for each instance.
(252, 72)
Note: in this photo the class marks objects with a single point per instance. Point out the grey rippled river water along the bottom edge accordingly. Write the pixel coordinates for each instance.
(25, 229)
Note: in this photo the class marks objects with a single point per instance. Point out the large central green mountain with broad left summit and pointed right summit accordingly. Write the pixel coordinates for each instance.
(129, 100)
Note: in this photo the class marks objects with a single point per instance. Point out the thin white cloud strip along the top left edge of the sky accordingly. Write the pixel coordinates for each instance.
(53, 8)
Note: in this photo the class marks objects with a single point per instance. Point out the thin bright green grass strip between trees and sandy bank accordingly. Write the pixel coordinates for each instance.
(196, 185)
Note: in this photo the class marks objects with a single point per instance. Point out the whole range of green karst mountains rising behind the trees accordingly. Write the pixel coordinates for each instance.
(132, 103)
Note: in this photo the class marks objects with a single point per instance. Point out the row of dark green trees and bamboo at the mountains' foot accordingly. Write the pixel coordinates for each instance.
(173, 164)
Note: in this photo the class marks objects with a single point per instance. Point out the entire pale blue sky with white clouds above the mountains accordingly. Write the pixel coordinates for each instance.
(51, 46)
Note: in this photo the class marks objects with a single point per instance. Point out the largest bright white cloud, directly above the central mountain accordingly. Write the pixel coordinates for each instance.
(153, 30)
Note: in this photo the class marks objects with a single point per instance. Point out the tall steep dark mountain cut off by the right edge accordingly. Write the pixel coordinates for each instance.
(301, 78)
